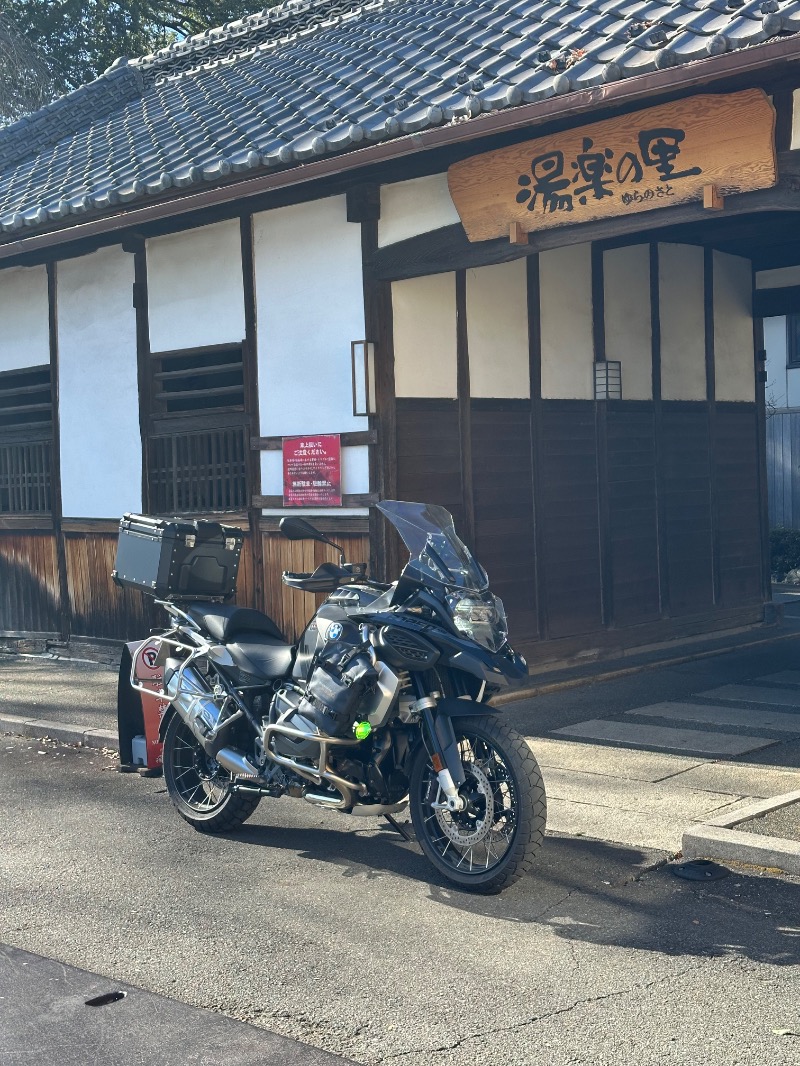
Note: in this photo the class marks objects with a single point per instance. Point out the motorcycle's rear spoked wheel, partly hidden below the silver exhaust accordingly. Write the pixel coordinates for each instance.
(200, 788)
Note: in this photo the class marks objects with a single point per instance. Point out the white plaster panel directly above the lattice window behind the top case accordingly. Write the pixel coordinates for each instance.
(195, 288)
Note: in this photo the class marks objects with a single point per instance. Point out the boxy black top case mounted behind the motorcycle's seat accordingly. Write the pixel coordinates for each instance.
(178, 558)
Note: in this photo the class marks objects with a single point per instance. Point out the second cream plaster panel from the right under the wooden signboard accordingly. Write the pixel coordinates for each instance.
(681, 284)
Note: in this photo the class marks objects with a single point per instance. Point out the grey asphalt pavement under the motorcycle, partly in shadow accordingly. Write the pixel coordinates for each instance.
(342, 938)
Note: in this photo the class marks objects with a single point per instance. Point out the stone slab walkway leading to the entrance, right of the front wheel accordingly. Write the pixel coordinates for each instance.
(676, 768)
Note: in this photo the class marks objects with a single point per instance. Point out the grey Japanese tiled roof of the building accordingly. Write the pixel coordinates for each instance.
(317, 77)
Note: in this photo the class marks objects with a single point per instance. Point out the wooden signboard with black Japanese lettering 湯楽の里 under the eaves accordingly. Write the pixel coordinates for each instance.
(712, 146)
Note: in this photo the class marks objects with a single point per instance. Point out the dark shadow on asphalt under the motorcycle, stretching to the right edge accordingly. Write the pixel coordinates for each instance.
(580, 890)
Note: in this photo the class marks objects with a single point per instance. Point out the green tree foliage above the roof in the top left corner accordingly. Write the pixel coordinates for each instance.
(79, 39)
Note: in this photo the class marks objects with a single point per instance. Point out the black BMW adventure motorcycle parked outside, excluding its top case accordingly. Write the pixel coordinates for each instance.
(382, 705)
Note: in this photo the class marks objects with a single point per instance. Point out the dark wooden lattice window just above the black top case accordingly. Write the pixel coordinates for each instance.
(198, 446)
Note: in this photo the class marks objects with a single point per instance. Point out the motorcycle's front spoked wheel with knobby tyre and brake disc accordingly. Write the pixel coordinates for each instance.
(492, 843)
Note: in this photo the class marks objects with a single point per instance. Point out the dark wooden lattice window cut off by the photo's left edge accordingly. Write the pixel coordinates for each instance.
(26, 442)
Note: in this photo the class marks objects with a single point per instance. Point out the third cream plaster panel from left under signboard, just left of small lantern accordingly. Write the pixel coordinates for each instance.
(566, 303)
